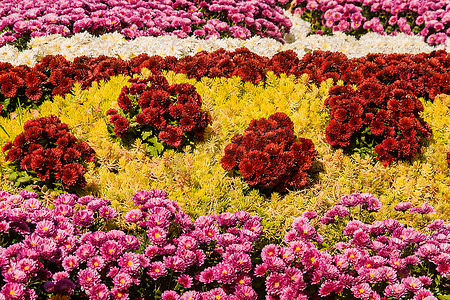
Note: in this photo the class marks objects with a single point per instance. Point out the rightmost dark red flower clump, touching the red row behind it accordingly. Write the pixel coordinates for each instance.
(389, 116)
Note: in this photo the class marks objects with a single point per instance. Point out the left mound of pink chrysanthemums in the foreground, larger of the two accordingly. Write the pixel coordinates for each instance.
(62, 251)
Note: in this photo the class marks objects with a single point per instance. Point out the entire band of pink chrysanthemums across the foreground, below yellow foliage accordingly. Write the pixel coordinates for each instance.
(64, 251)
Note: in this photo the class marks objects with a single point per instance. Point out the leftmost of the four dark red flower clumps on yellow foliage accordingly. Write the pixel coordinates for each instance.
(47, 149)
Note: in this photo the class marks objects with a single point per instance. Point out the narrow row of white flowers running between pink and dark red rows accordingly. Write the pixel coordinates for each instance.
(298, 40)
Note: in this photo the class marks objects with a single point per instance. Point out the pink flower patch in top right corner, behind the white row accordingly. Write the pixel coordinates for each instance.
(428, 19)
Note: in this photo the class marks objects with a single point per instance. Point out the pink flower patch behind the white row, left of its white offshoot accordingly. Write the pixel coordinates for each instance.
(24, 19)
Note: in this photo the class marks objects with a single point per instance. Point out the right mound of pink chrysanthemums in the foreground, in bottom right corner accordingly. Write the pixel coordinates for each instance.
(379, 260)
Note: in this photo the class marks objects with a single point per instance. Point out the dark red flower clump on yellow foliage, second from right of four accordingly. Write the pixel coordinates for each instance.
(269, 156)
